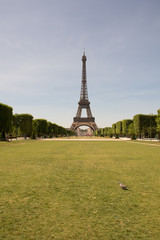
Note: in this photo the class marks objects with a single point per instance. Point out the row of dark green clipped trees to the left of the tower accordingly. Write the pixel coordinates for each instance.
(18, 125)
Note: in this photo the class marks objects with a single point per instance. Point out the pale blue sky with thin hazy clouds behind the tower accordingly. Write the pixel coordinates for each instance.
(41, 45)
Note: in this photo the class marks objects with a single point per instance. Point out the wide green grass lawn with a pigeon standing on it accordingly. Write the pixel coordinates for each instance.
(70, 190)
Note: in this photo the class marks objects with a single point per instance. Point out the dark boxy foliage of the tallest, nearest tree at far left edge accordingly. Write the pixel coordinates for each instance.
(5, 118)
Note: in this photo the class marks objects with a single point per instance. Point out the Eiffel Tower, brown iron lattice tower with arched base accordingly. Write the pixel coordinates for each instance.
(84, 104)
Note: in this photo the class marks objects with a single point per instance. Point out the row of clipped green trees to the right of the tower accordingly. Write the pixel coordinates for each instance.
(141, 126)
